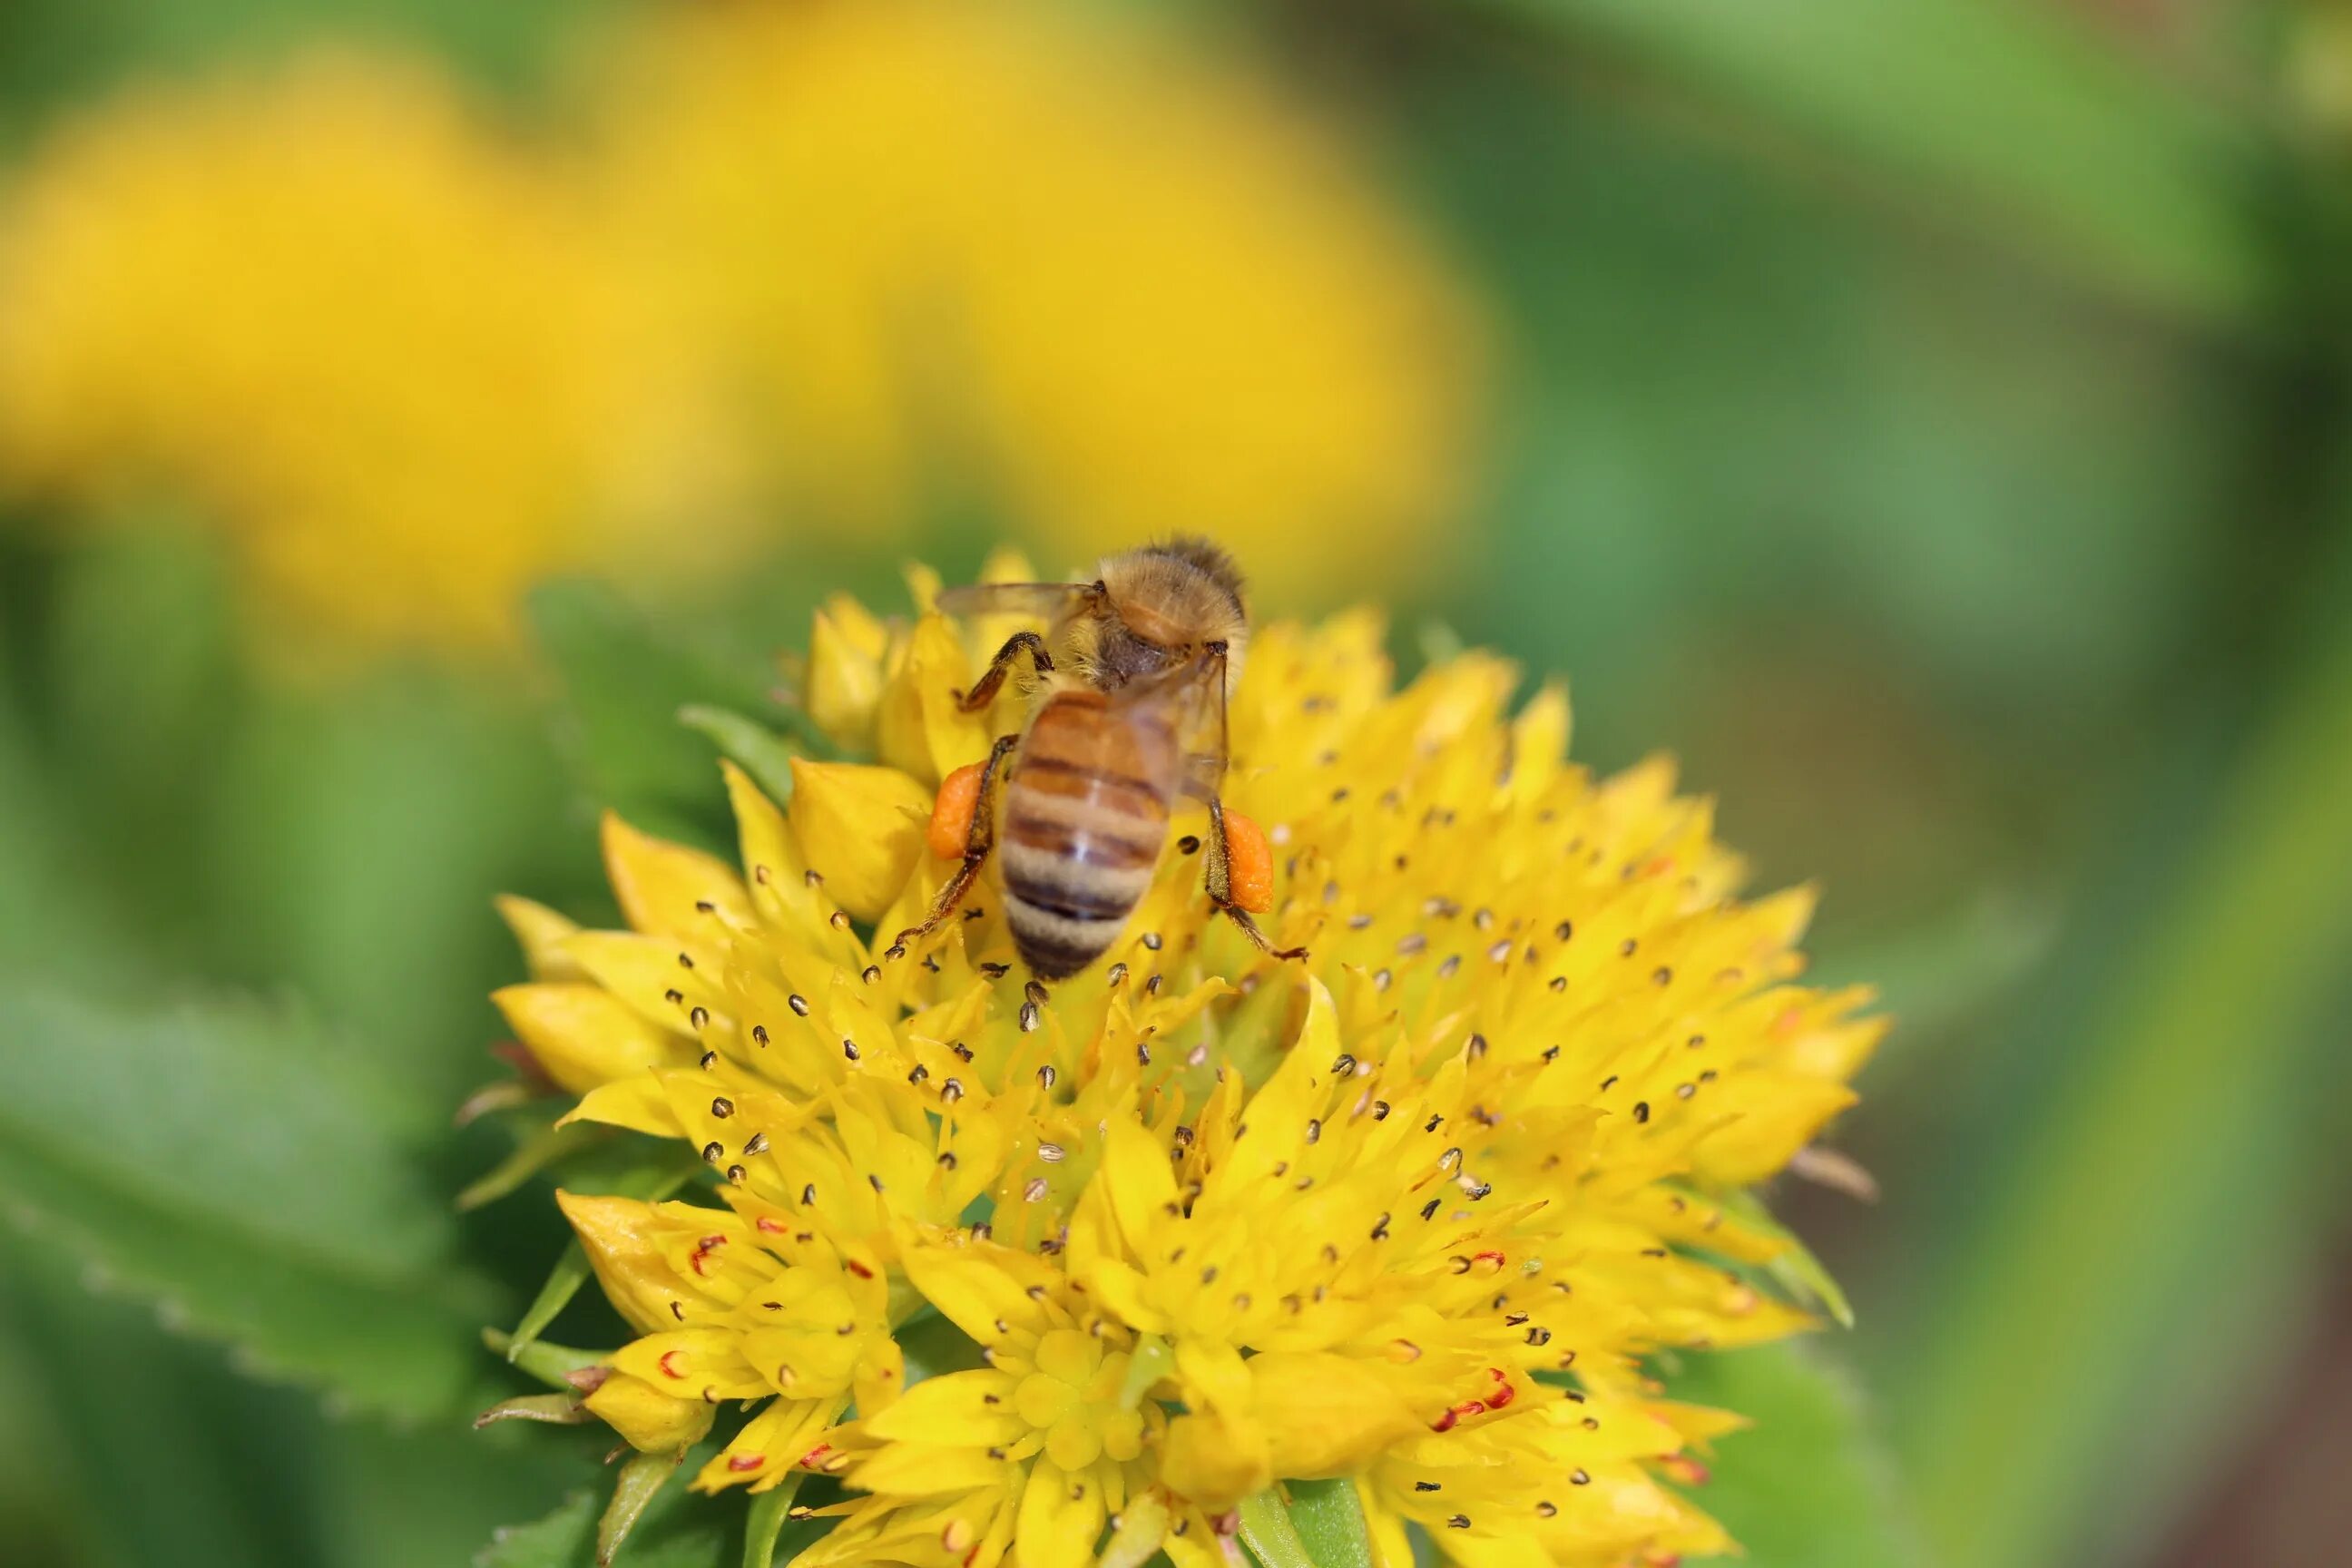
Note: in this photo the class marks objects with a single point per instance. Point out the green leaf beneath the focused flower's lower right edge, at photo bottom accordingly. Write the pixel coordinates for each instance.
(1808, 1487)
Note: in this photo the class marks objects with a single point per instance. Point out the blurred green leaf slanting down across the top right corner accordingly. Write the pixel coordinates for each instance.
(1998, 107)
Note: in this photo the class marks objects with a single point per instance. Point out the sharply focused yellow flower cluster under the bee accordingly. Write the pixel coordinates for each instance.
(1408, 1214)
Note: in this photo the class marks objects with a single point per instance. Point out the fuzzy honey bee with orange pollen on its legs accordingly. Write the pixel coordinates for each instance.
(1132, 681)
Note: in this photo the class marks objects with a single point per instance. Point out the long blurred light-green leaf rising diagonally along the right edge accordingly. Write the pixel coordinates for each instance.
(2153, 1221)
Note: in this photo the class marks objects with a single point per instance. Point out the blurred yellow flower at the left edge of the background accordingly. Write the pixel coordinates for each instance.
(335, 314)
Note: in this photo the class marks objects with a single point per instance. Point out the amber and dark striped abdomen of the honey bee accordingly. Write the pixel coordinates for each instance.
(1085, 817)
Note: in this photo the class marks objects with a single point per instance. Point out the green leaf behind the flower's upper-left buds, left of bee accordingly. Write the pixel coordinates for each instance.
(624, 688)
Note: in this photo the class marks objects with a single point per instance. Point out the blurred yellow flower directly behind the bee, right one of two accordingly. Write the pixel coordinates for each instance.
(1104, 288)
